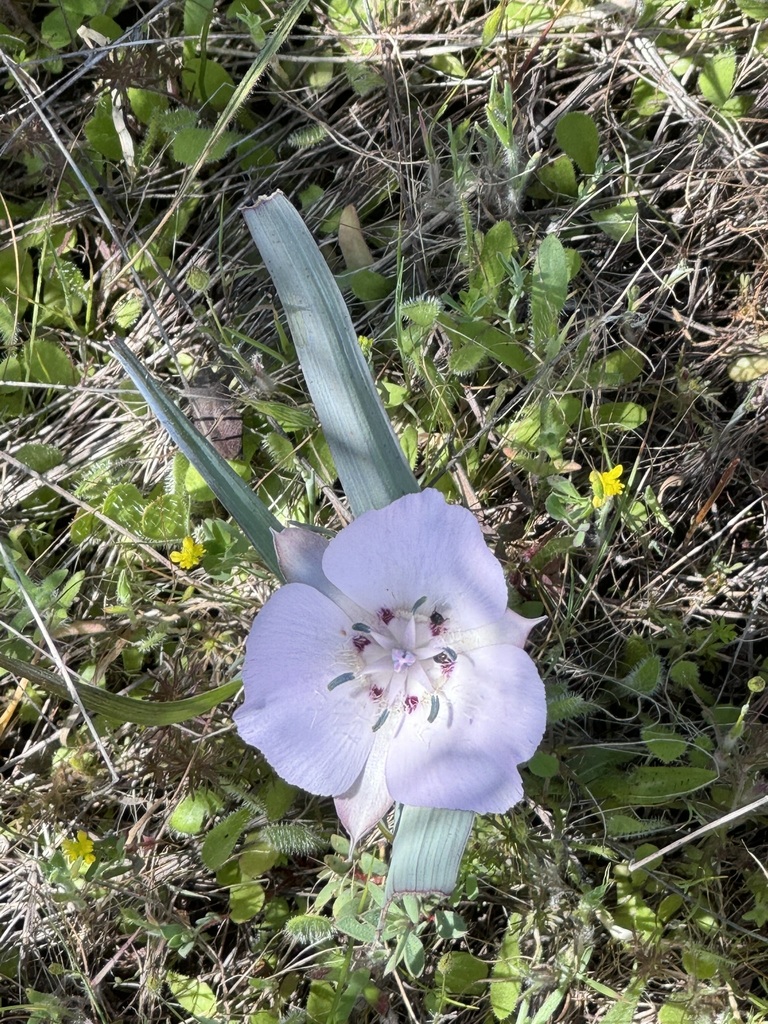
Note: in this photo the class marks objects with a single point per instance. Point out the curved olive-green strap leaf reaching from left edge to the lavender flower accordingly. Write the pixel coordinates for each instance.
(120, 709)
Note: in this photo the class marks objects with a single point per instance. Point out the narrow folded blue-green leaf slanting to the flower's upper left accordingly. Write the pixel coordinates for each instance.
(249, 513)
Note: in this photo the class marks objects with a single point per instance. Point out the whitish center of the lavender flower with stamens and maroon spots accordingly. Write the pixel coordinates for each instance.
(400, 661)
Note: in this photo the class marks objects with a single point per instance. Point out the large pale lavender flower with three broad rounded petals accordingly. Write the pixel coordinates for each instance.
(391, 669)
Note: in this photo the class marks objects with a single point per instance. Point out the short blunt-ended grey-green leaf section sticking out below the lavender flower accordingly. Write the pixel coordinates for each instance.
(428, 850)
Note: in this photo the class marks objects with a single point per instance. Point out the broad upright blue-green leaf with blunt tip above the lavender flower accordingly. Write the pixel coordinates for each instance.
(368, 456)
